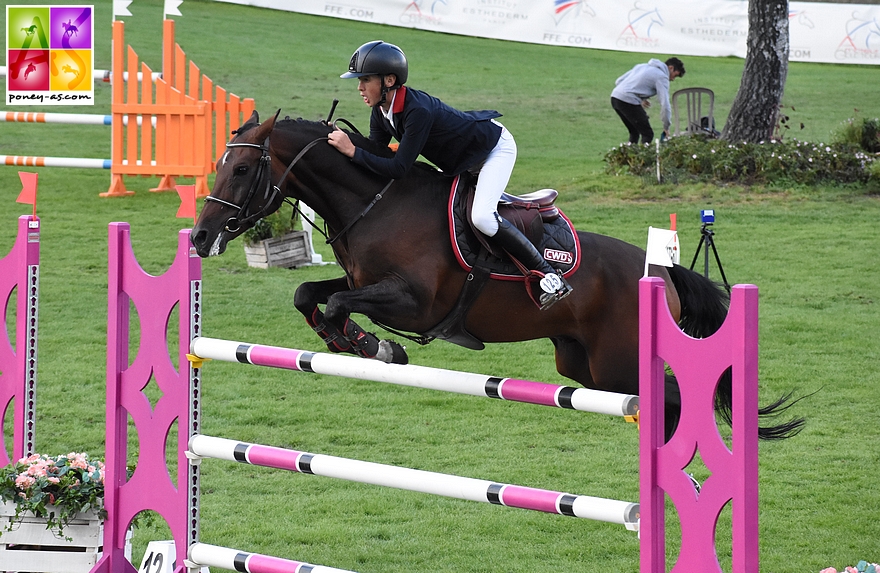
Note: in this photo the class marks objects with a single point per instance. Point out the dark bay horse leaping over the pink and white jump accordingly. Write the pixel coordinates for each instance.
(400, 270)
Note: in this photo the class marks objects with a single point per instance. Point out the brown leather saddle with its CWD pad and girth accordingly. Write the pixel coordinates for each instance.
(539, 220)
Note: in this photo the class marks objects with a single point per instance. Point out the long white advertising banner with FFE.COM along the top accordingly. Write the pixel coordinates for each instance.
(820, 32)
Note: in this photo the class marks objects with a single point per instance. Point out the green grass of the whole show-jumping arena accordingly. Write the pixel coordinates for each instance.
(811, 251)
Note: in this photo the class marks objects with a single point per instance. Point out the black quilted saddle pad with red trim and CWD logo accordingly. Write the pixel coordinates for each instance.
(559, 245)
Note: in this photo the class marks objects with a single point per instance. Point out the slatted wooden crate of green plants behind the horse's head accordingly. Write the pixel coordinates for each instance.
(274, 242)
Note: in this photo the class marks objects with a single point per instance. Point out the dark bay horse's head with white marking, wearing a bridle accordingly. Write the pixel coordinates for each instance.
(243, 192)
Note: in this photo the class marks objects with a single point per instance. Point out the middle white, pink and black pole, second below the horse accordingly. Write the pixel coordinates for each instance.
(470, 489)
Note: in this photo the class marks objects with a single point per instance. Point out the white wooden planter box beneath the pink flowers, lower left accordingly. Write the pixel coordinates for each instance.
(31, 548)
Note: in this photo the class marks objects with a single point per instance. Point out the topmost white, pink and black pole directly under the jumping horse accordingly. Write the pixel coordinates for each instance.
(583, 399)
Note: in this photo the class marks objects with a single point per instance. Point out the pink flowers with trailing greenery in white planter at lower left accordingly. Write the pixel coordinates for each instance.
(52, 512)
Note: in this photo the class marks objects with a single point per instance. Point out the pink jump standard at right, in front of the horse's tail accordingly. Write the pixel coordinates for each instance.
(734, 474)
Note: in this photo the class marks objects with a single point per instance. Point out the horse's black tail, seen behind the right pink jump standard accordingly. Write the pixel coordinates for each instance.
(704, 306)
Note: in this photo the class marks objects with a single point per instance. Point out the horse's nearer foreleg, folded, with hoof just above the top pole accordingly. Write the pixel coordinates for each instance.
(389, 296)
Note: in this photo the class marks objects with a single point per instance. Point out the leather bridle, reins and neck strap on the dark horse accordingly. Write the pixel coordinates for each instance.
(234, 223)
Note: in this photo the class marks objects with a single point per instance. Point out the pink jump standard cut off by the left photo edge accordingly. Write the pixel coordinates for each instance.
(20, 270)
